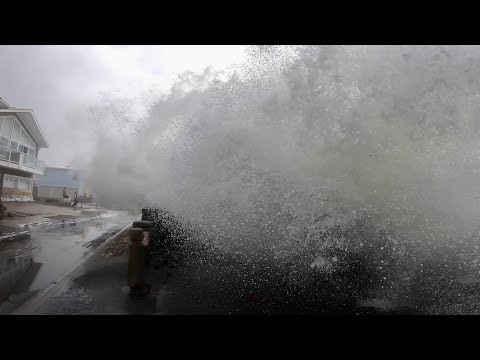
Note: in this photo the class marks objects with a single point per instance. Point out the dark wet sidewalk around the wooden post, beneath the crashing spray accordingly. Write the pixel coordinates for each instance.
(196, 278)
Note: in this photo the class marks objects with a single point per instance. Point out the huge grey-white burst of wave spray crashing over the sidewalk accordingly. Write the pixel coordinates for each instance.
(316, 156)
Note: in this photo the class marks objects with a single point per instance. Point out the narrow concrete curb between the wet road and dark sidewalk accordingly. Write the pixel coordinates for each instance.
(34, 303)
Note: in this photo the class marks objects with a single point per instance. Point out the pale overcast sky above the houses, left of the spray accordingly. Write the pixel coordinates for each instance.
(58, 82)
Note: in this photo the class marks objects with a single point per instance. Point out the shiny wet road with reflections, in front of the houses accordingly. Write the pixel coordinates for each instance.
(29, 265)
